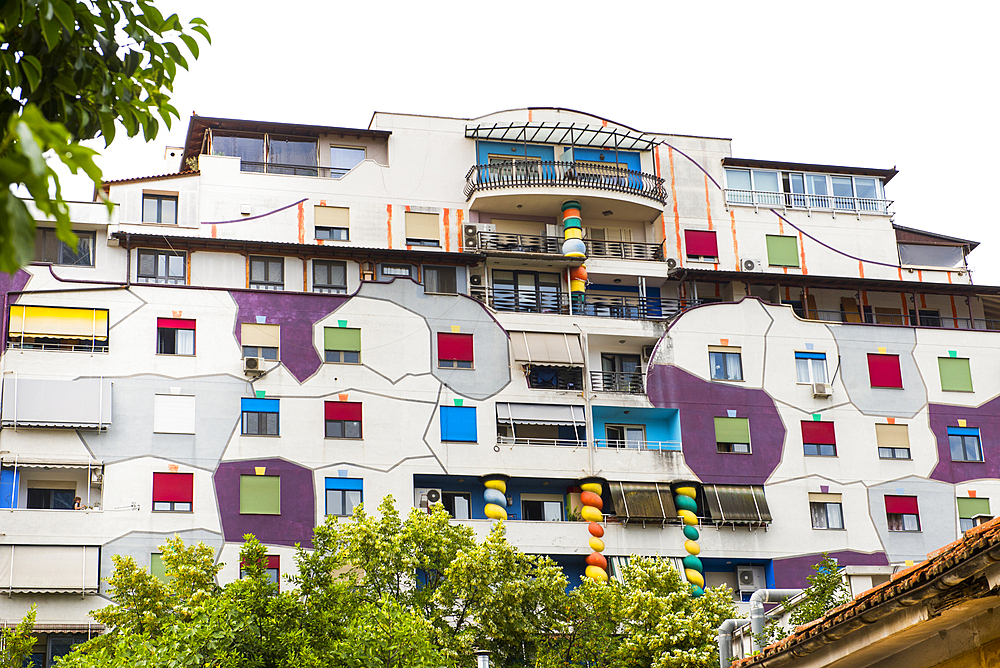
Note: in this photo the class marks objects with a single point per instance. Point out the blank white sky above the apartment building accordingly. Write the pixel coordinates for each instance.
(870, 84)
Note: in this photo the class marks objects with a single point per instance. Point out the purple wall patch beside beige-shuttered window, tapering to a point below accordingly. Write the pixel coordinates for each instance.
(296, 313)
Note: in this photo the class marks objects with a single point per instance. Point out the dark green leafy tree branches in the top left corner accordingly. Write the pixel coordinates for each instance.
(69, 70)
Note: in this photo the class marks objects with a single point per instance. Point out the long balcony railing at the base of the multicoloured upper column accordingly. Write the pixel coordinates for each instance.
(602, 306)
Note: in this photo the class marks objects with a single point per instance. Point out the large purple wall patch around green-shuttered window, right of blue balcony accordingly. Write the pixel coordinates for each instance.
(699, 403)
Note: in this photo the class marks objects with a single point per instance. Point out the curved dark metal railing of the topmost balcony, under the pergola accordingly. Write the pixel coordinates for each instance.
(534, 173)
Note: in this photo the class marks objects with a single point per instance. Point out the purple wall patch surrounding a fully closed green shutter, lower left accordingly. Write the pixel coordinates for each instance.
(298, 503)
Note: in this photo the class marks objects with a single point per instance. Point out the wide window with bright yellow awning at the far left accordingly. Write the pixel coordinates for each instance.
(54, 328)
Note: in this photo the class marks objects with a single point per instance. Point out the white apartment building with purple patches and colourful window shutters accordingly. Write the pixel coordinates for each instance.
(304, 318)
